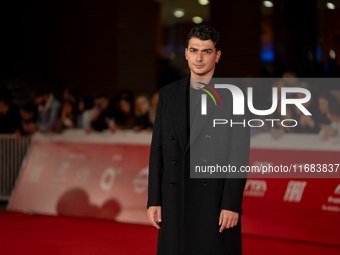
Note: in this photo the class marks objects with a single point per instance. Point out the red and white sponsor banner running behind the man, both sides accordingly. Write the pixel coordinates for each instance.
(106, 176)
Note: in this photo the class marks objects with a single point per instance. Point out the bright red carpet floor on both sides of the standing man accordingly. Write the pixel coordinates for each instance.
(40, 234)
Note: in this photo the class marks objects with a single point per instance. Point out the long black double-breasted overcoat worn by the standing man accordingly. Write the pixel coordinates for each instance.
(191, 207)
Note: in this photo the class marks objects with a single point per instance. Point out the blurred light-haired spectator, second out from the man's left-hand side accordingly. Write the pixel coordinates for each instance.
(142, 111)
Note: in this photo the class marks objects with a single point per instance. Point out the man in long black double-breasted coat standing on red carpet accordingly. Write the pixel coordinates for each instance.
(195, 216)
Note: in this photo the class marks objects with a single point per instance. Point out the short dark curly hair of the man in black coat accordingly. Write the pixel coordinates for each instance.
(205, 33)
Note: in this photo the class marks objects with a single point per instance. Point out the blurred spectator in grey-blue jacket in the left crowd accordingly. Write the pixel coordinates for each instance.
(48, 108)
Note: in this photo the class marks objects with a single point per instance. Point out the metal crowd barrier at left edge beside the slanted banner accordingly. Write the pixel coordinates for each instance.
(12, 152)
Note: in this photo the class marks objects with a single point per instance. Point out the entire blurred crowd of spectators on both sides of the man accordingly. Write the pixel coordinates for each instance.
(98, 113)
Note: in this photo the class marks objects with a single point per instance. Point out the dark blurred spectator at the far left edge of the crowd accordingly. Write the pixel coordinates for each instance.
(9, 116)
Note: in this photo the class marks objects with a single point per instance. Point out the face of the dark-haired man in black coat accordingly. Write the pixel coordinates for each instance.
(202, 57)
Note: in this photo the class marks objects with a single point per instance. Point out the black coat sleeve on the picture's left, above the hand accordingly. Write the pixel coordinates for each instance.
(156, 158)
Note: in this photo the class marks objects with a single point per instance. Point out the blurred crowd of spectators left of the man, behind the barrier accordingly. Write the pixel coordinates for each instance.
(91, 113)
